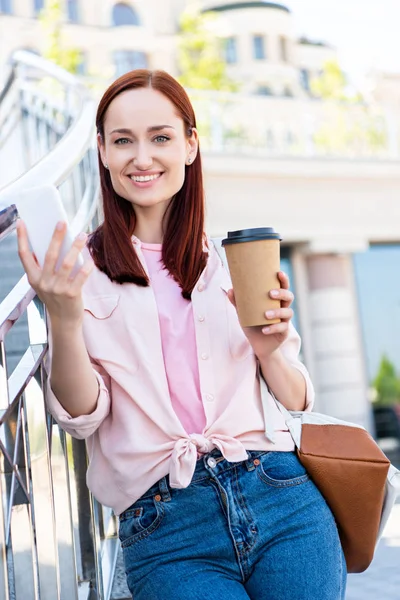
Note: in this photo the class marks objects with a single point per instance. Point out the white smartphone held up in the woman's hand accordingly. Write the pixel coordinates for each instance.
(41, 208)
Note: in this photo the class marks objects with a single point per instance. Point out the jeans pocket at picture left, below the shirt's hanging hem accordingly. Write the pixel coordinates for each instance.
(139, 521)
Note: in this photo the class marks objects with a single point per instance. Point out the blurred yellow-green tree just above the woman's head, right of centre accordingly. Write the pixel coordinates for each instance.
(200, 53)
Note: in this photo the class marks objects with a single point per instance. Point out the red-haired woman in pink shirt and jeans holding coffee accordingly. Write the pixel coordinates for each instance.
(150, 365)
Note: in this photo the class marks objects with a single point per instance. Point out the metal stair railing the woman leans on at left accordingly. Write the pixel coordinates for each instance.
(56, 541)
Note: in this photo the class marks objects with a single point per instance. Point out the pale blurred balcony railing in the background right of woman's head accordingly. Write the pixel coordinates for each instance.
(271, 127)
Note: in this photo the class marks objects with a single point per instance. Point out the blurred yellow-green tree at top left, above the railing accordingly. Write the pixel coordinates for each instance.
(51, 19)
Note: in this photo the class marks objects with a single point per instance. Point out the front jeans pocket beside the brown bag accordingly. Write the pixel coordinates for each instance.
(281, 469)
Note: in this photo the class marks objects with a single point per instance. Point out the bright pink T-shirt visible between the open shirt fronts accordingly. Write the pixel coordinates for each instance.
(178, 338)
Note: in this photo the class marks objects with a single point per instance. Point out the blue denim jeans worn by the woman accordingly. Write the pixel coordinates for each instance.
(257, 529)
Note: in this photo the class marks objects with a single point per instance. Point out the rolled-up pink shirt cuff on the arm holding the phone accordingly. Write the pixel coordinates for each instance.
(85, 425)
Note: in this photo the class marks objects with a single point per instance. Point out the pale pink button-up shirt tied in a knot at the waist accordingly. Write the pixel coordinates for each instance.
(134, 437)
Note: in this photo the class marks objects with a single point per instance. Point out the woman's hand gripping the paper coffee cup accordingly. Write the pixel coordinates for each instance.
(265, 339)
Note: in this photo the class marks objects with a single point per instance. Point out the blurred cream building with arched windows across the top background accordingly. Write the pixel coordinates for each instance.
(260, 48)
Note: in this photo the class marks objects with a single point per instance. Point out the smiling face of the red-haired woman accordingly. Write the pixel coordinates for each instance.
(145, 147)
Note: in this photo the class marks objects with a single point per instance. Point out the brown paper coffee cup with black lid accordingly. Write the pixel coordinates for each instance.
(253, 257)
